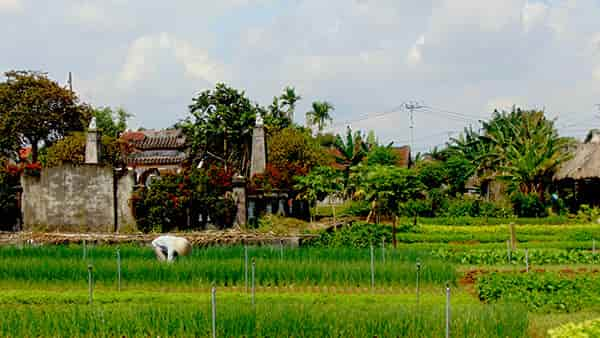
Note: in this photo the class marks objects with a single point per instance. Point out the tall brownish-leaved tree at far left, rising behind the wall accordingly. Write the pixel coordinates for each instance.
(35, 109)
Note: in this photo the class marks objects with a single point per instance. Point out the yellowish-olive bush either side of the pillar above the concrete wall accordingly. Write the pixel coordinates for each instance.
(71, 149)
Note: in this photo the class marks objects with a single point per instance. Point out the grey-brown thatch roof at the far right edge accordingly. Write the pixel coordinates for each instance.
(585, 163)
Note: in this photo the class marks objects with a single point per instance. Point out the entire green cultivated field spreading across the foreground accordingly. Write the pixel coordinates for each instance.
(307, 291)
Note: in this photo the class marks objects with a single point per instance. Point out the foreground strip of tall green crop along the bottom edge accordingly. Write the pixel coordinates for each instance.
(152, 314)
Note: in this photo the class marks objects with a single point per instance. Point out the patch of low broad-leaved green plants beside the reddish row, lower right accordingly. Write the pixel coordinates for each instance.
(540, 291)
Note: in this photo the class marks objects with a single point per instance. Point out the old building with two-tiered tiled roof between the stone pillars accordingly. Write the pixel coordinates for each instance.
(151, 153)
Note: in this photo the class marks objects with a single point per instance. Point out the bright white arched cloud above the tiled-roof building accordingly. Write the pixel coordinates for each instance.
(147, 53)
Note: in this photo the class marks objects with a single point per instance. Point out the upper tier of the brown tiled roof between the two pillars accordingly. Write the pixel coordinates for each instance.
(155, 139)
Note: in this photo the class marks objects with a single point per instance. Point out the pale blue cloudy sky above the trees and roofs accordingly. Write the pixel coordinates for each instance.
(457, 59)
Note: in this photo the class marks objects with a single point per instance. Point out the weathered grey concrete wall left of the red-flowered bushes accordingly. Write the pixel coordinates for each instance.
(75, 198)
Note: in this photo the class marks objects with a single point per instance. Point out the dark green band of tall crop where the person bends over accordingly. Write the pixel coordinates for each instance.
(223, 266)
